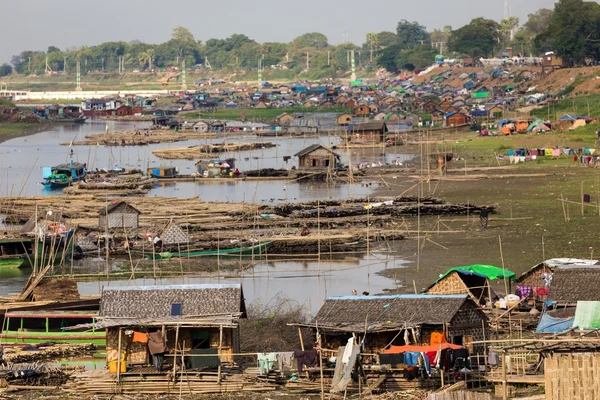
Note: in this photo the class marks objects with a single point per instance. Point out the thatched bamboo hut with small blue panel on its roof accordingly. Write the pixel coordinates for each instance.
(199, 319)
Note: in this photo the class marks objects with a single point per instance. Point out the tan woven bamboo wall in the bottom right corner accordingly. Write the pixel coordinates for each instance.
(572, 376)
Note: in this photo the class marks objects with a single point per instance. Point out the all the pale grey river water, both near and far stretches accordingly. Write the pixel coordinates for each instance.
(306, 282)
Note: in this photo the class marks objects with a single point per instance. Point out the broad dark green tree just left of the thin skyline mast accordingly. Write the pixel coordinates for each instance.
(478, 39)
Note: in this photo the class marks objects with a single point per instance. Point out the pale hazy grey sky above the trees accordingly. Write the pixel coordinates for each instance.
(37, 24)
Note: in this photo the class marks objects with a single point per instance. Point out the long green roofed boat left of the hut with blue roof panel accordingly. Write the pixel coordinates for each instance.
(49, 326)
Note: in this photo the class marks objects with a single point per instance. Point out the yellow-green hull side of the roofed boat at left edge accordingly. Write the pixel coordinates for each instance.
(15, 337)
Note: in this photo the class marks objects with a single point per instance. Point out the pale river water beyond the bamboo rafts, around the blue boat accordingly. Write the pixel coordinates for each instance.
(21, 160)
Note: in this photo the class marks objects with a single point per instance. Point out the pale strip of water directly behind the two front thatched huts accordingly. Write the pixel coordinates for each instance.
(307, 282)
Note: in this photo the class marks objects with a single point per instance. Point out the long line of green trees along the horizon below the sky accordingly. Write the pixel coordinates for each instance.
(571, 30)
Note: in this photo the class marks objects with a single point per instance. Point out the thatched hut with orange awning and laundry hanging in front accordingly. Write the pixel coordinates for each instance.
(385, 318)
